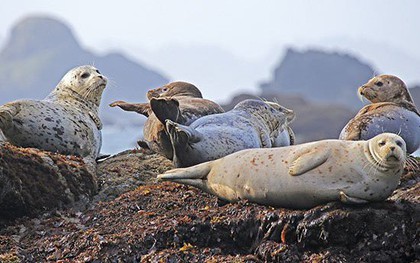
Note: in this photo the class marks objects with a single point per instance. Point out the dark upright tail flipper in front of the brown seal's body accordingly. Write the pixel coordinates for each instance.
(166, 109)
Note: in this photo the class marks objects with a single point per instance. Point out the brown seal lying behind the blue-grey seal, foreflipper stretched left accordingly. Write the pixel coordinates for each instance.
(181, 102)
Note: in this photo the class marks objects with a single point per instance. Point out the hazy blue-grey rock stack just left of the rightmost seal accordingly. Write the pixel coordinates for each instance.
(322, 77)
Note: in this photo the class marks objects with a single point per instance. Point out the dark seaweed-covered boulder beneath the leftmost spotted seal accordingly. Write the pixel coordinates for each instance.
(33, 181)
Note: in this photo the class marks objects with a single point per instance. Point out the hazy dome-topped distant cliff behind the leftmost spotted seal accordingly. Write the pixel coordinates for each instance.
(40, 50)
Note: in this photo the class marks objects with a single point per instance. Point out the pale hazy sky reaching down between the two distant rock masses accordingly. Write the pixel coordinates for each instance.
(384, 32)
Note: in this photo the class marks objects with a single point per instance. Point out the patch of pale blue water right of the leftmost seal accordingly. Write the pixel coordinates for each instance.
(116, 139)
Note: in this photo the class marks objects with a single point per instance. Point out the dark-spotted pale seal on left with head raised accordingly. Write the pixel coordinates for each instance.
(66, 121)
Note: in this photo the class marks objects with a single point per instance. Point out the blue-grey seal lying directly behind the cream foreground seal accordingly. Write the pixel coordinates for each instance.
(250, 124)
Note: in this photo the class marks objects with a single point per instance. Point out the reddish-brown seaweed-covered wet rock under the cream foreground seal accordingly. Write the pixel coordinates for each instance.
(167, 222)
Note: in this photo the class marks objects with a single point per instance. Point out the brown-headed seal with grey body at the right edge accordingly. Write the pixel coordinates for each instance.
(392, 110)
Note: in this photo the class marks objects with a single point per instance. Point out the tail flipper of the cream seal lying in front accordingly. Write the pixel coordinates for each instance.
(193, 176)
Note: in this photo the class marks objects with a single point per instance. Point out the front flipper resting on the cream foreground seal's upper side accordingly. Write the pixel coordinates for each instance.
(308, 161)
